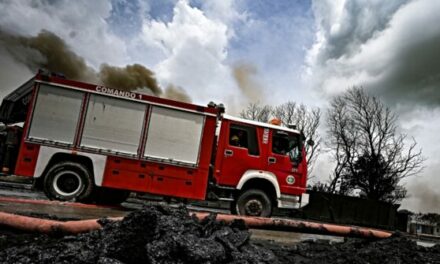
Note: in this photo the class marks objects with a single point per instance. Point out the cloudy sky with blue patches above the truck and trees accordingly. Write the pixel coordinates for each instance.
(305, 51)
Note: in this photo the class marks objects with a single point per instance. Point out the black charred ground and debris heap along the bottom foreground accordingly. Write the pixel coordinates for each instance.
(157, 234)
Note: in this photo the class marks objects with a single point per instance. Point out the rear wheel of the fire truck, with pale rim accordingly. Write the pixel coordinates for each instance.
(68, 181)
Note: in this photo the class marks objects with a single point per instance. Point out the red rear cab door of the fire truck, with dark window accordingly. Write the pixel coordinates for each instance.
(238, 151)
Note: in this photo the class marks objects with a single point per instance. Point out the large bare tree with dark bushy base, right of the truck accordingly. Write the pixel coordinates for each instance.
(370, 154)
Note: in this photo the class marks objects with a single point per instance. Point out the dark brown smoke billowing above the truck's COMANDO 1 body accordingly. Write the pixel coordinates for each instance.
(47, 50)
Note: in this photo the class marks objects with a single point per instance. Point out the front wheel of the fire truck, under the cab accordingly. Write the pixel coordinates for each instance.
(253, 202)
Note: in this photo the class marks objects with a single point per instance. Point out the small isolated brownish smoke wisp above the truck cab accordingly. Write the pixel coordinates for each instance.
(246, 77)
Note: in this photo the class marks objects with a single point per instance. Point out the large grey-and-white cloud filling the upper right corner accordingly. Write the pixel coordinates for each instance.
(389, 47)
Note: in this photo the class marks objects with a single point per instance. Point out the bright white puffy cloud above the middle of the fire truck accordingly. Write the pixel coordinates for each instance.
(195, 49)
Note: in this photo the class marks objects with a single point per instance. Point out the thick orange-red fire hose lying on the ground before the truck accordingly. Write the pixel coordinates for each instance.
(38, 225)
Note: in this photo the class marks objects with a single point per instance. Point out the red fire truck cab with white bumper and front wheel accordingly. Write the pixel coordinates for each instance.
(263, 165)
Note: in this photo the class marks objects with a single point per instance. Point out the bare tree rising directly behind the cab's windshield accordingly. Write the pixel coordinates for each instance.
(307, 121)
